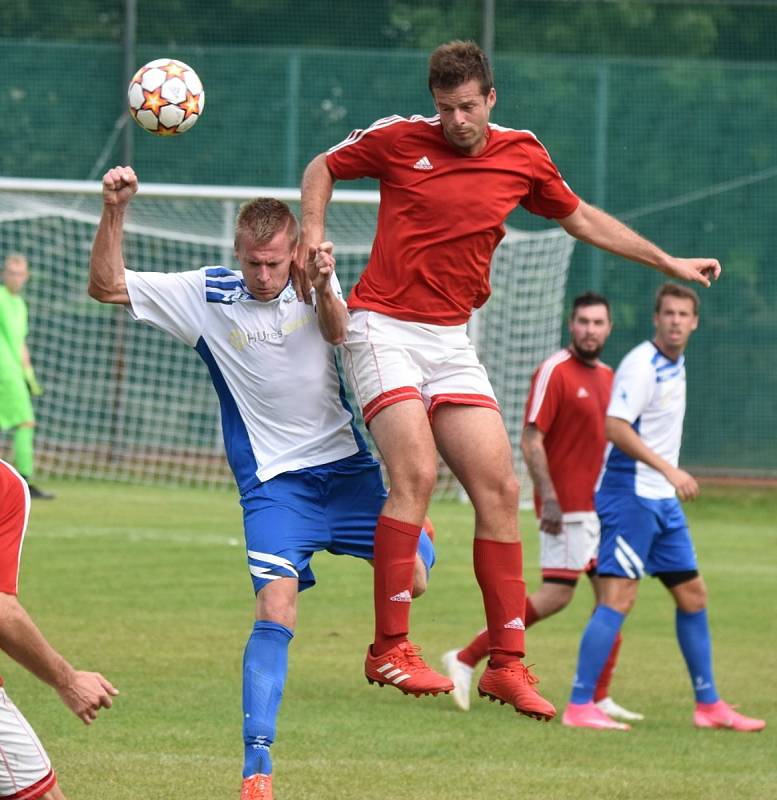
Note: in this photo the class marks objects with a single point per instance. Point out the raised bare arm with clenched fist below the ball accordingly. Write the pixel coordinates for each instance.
(106, 266)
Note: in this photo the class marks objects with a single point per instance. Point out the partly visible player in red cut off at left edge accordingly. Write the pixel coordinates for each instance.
(25, 769)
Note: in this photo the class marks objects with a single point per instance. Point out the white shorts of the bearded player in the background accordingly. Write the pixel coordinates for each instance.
(567, 554)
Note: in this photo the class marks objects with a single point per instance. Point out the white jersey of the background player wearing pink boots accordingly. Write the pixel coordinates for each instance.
(649, 392)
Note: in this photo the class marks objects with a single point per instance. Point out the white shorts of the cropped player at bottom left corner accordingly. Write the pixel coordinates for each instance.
(25, 769)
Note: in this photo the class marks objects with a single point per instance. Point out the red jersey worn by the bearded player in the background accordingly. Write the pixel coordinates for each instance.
(568, 402)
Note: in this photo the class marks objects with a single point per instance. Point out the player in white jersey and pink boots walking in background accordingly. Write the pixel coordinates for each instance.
(643, 528)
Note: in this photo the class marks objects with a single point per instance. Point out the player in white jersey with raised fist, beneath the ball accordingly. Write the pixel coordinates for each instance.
(307, 480)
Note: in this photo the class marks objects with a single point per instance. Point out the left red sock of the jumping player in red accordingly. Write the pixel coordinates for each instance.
(396, 543)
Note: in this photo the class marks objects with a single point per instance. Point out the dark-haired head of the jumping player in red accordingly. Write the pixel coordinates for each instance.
(462, 85)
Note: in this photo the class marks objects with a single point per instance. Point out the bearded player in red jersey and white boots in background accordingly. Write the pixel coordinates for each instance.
(563, 444)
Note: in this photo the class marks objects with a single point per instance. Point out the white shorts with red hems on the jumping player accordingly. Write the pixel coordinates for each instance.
(387, 360)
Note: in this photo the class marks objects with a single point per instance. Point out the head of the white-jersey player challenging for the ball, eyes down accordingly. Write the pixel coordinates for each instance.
(266, 236)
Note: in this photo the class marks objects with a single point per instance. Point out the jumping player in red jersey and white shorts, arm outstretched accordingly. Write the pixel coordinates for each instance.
(447, 184)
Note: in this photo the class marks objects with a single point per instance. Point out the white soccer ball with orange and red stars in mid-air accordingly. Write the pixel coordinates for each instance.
(166, 97)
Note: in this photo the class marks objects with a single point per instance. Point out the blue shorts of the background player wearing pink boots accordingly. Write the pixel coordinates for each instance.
(641, 536)
